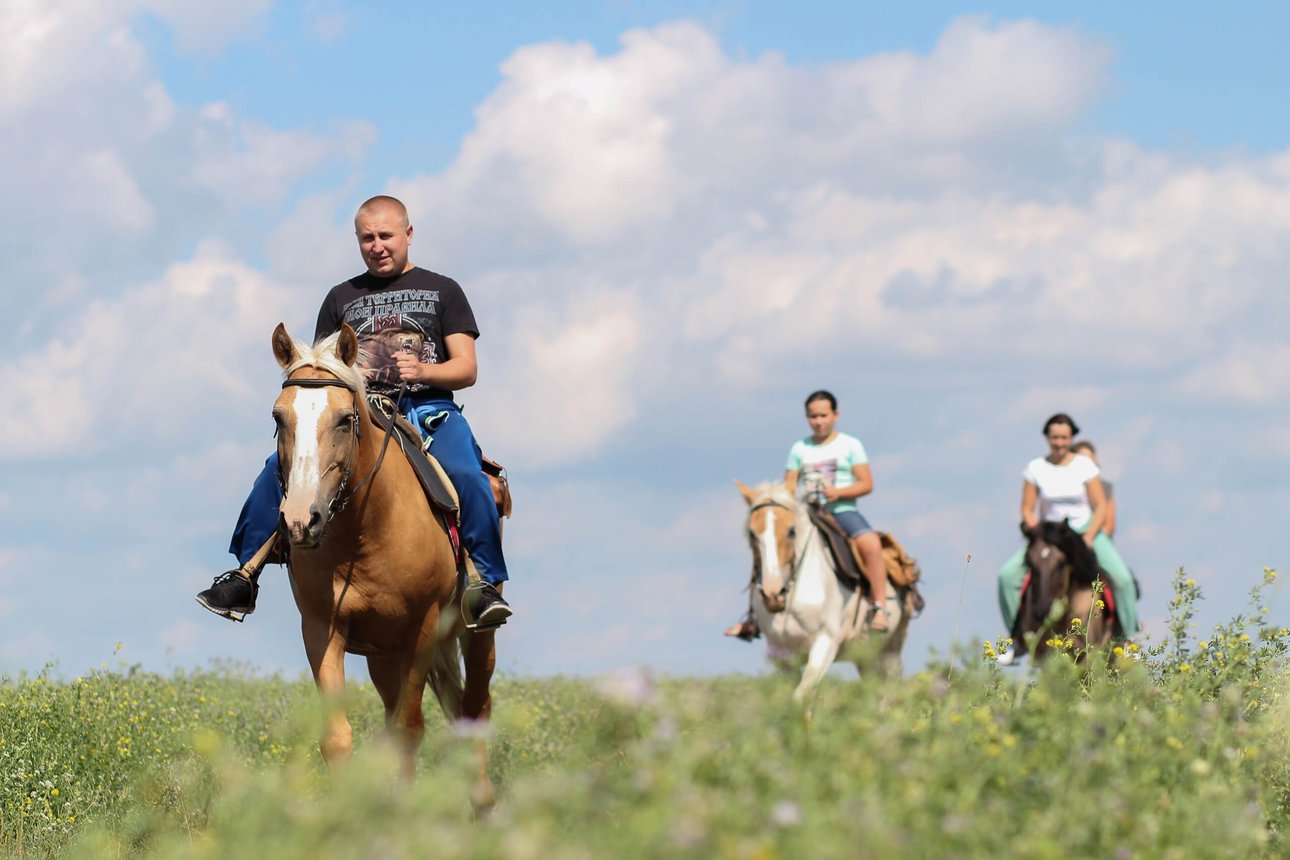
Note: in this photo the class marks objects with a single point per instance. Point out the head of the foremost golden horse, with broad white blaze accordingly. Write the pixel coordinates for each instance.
(318, 418)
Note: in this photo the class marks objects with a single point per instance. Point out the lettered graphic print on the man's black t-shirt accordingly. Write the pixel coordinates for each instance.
(388, 324)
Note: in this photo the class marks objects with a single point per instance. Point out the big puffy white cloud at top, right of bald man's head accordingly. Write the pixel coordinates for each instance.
(597, 148)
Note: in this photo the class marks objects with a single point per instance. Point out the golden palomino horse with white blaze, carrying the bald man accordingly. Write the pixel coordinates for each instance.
(372, 567)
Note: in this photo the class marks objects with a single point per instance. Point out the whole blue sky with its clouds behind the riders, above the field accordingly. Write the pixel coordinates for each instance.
(674, 221)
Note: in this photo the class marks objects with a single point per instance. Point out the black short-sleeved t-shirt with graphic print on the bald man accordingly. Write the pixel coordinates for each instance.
(412, 313)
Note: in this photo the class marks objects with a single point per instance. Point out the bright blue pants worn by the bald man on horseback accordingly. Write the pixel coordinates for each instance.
(453, 445)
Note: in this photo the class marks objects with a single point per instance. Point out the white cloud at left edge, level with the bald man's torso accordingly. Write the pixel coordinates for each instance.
(190, 340)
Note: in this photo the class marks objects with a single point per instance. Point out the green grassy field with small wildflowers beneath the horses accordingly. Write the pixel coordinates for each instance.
(1182, 754)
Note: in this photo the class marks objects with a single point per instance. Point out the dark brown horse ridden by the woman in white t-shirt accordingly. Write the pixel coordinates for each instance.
(1060, 590)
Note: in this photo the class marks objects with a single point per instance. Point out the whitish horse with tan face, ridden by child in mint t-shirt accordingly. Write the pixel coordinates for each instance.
(799, 603)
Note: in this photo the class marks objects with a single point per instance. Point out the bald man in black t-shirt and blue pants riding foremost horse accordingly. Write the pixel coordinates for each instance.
(415, 328)
